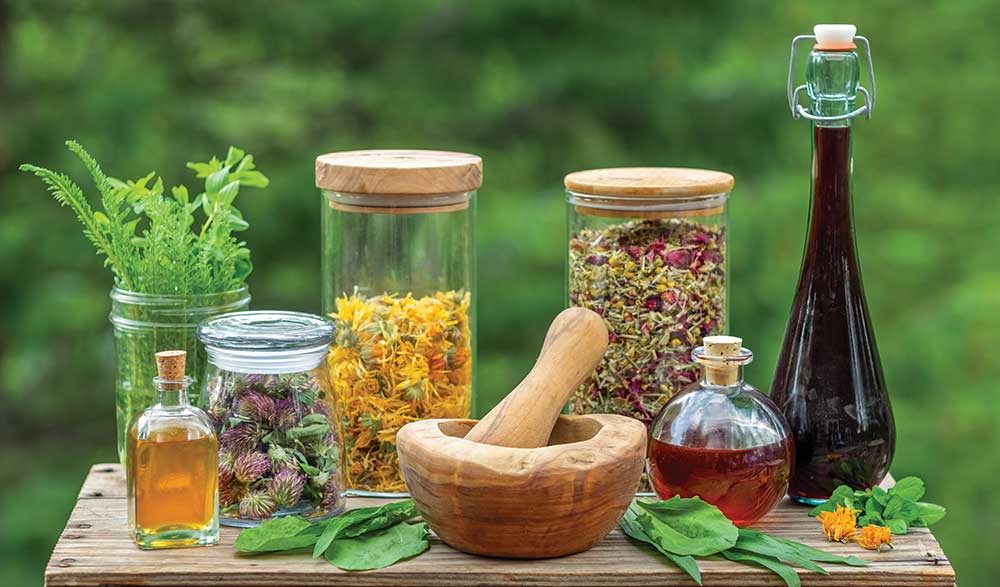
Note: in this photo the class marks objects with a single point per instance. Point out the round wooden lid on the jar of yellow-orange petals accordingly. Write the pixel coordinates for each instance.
(399, 172)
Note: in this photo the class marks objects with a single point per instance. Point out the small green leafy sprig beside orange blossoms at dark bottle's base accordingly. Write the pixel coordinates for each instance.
(899, 508)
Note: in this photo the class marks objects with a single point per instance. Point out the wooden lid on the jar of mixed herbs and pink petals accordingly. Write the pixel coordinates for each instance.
(629, 192)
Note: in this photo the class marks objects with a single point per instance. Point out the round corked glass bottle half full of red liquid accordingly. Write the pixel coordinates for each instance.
(721, 439)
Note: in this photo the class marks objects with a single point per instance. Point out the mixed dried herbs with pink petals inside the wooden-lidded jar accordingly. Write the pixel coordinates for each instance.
(660, 286)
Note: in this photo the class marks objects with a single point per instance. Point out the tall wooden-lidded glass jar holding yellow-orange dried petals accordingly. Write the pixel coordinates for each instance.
(398, 280)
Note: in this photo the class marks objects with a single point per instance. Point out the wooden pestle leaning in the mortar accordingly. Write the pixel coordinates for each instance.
(573, 347)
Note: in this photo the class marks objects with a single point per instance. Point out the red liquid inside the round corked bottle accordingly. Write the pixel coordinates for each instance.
(744, 483)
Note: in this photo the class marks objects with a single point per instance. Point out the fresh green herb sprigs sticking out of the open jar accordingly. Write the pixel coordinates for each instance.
(154, 243)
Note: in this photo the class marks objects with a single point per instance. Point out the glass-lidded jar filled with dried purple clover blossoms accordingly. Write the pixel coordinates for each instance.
(278, 450)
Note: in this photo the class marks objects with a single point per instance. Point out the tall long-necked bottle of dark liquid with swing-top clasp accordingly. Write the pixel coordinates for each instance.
(828, 382)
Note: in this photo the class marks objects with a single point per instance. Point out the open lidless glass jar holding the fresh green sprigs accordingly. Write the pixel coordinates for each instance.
(147, 323)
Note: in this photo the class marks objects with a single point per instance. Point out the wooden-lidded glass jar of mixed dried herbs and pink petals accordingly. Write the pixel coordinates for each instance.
(647, 251)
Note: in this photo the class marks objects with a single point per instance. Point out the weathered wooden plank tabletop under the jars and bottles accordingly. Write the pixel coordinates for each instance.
(95, 549)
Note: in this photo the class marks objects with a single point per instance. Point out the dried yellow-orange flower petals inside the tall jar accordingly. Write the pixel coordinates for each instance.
(395, 360)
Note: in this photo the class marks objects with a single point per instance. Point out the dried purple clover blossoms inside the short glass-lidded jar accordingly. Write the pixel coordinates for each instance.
(278, 452)
